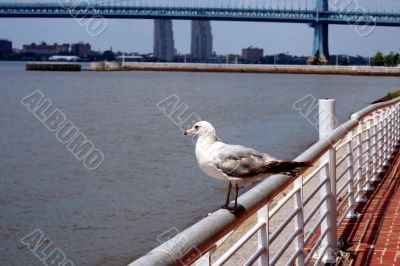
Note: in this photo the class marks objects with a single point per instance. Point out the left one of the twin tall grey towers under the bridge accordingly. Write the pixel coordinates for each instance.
(163, 40)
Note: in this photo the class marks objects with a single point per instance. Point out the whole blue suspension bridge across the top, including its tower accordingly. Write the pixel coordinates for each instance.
(363, 15)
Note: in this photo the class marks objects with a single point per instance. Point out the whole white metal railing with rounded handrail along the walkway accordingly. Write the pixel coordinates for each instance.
(346, 160)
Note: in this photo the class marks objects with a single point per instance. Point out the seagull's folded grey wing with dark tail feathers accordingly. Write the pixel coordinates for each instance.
(243, 162)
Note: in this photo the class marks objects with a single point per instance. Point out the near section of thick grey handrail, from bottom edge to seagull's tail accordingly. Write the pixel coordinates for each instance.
(207, 231)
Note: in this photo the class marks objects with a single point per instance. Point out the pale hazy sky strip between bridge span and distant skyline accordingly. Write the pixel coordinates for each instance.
(229, 37)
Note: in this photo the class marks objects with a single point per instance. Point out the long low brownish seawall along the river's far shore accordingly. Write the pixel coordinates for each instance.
(265, 69)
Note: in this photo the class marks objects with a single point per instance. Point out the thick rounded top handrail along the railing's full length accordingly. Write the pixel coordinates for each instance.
(201, 237)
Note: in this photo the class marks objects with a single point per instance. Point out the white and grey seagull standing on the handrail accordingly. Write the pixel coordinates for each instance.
(235, 163)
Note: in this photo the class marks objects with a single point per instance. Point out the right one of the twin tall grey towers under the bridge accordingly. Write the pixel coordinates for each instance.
(202, 40)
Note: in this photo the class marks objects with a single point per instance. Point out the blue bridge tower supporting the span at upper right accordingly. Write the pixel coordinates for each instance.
(321, 40)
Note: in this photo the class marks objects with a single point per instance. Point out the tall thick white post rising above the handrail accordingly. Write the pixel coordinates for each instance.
(327, 123)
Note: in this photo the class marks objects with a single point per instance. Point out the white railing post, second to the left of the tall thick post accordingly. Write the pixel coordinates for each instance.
(263, 235)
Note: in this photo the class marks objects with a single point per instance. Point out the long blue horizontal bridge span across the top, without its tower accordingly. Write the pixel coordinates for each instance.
(359, 18)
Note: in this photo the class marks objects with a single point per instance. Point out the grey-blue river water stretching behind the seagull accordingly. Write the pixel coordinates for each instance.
(149, 181)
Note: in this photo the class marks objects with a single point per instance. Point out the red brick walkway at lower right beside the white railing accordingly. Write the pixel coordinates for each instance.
(374, 238)
